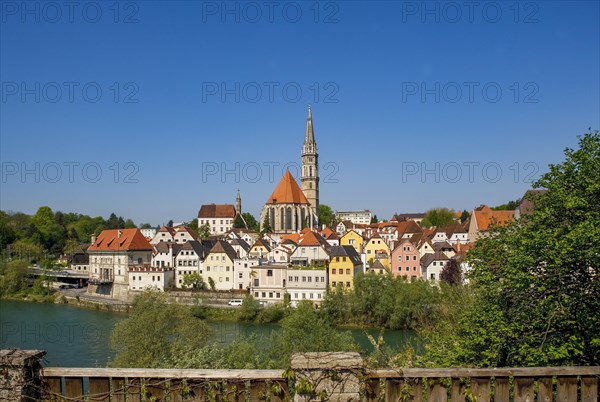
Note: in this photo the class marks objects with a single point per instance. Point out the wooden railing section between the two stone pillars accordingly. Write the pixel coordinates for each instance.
(103, 384)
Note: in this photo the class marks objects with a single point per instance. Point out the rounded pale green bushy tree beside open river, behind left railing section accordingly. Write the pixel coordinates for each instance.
(156, 334)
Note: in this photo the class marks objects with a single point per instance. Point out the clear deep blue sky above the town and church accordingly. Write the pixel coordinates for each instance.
(150, 109)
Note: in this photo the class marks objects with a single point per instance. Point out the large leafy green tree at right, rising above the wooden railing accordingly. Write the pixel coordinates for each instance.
(535, 281)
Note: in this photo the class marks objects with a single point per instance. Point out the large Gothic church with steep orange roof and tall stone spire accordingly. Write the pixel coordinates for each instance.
(289, 208)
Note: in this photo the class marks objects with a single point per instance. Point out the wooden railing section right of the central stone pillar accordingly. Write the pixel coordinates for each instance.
(568, 384)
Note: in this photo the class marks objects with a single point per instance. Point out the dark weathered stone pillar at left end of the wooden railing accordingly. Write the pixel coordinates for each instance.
(20, 374)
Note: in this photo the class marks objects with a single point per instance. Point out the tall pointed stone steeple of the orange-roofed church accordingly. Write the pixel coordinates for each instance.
(310, 165)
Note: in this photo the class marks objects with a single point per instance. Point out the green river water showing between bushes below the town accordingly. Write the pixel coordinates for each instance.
(77, 337)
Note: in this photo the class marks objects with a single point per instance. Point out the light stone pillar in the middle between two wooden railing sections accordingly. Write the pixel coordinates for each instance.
(332, 376)
